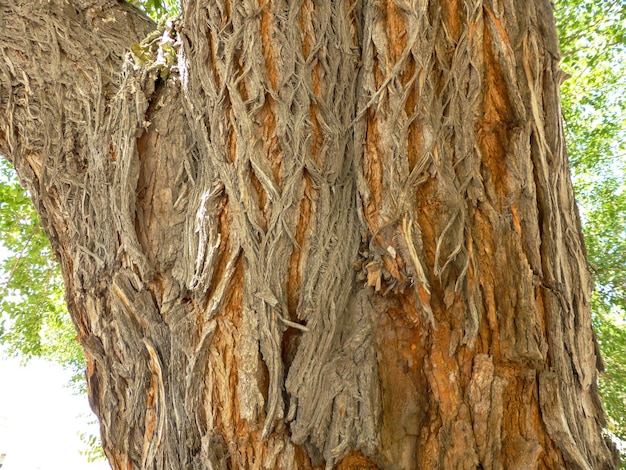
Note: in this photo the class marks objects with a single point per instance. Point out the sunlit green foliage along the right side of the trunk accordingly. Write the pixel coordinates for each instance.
(593, 44)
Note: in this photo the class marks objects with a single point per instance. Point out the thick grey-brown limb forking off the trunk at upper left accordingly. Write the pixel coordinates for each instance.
(59, 64)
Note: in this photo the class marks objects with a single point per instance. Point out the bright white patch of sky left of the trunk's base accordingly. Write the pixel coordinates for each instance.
(40, 418)
